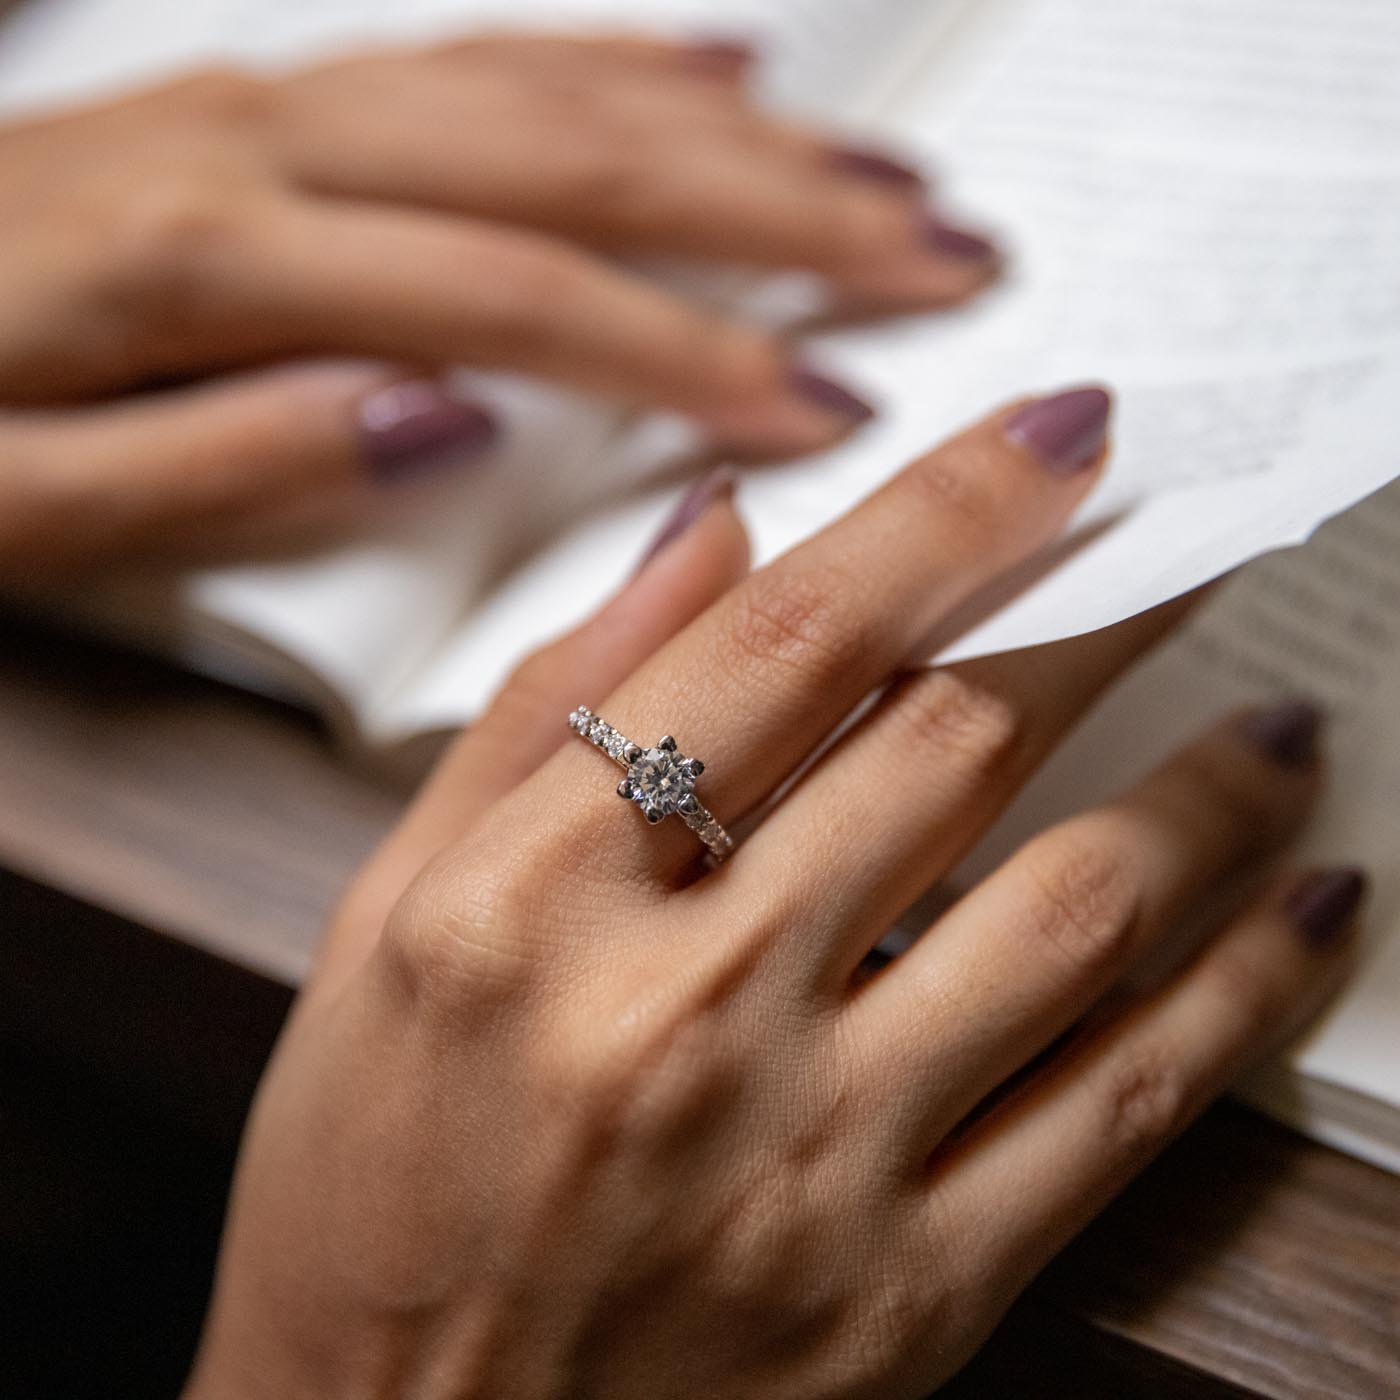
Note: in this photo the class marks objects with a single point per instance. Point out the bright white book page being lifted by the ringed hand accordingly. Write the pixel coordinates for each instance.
(1202, 201)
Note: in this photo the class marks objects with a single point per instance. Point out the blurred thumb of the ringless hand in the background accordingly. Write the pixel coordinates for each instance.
(159, 475)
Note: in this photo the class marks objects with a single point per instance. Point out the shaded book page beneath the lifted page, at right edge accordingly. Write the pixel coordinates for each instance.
(1321, 622)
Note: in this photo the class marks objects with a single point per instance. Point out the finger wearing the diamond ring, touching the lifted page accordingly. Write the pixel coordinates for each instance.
(768, 673)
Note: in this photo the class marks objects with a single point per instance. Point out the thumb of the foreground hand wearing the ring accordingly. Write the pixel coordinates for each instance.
(698, 556)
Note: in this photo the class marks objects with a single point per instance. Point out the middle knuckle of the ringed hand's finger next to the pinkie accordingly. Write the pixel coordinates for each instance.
(1087, 899)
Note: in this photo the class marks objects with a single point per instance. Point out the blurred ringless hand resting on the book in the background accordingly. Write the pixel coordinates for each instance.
(401, 213)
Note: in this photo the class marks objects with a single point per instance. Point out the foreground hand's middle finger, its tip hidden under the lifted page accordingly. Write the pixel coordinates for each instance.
(894, 807)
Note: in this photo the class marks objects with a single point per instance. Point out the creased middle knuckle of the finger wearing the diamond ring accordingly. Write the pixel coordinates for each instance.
(799, 619)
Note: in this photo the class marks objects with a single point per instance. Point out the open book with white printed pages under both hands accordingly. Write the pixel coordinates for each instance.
(1203, 204)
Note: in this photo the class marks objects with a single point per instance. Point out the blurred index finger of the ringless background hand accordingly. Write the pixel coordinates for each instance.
(352, 278)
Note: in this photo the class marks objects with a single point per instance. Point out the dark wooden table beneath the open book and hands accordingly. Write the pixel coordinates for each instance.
(170, 849)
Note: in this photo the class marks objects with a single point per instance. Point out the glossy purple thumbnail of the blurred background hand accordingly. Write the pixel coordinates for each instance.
(418, 425)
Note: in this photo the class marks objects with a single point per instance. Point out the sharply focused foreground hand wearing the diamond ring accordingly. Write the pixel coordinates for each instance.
(590, 1121)
